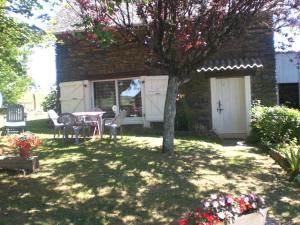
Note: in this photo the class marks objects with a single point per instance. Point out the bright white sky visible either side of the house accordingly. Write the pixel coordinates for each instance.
(42, 63)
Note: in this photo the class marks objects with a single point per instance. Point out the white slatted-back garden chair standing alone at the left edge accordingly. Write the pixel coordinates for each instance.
(15, 119)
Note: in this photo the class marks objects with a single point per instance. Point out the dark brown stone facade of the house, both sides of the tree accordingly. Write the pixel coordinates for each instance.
(78, 60)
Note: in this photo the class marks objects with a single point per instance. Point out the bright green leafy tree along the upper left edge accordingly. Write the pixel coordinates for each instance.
(17, 38)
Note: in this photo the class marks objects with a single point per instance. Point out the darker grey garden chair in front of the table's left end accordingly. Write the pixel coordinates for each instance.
(70, 126)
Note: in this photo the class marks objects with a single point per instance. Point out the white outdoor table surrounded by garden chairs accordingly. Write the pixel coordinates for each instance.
(99, 121)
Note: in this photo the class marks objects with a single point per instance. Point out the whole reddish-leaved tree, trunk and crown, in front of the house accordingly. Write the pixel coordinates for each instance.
(181, 34)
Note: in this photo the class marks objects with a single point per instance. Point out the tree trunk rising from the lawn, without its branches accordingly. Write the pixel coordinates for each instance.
(169, 115)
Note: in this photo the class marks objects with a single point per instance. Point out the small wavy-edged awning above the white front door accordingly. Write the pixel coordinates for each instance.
(230, 64)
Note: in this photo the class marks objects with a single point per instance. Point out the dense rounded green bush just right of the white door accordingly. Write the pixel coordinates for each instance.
(274, 125)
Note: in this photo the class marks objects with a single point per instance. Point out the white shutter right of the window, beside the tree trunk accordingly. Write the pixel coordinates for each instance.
(155, 89)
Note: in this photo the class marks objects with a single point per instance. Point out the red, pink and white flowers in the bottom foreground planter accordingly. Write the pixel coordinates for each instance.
(224, 209)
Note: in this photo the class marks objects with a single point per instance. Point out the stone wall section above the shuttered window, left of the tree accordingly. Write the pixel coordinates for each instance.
(80, 60)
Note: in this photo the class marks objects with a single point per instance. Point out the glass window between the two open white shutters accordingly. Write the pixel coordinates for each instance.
(129, 96)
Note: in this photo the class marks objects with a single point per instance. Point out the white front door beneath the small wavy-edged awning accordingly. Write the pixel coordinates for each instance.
(229, 107)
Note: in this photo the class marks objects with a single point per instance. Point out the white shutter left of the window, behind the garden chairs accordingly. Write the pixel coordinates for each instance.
(74, 96)
